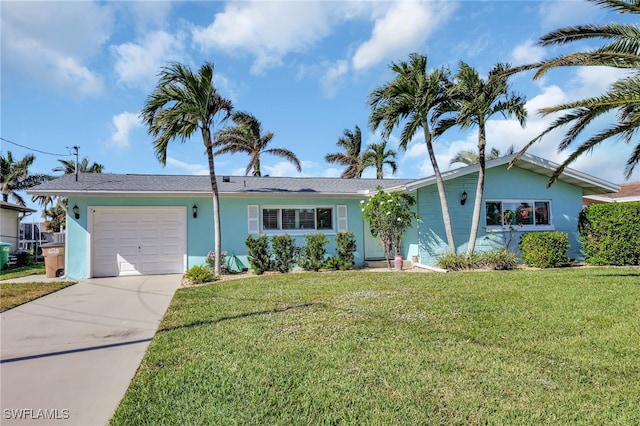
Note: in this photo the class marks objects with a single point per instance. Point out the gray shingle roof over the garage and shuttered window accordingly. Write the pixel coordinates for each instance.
(105, 183)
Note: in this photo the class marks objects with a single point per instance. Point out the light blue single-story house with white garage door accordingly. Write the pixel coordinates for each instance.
(158, 224)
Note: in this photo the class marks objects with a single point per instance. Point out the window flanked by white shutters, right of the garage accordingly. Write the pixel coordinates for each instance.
(297, 219)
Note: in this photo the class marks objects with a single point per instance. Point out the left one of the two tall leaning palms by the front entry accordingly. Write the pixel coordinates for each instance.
(413, 96)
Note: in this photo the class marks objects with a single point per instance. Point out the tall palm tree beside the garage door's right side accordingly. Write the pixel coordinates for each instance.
(181, 104)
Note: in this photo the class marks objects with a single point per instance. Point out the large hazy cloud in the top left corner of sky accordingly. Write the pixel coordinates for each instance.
(50, 41)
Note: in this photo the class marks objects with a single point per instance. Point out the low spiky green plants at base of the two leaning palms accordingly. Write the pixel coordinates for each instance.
(500, 259)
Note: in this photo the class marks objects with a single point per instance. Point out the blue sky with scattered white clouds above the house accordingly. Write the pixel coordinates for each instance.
(78, 73)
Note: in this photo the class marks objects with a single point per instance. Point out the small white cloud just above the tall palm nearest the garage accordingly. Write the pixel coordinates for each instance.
(138, 64)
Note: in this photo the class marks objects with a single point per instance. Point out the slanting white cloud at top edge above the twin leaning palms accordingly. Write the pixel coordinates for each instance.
(405, 26)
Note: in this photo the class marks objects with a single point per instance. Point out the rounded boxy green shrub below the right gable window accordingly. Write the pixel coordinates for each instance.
(545, 249)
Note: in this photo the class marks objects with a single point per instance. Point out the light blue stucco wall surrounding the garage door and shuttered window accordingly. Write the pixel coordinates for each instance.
(200, 235)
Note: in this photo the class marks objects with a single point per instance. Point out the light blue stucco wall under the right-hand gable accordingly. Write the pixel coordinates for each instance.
(501, 183)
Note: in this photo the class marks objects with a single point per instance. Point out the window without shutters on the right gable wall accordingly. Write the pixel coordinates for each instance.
(529, 214)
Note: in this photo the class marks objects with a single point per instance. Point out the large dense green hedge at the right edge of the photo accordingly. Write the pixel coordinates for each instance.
(610, 233)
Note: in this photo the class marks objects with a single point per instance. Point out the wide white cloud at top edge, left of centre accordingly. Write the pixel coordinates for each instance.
(268, 30)
